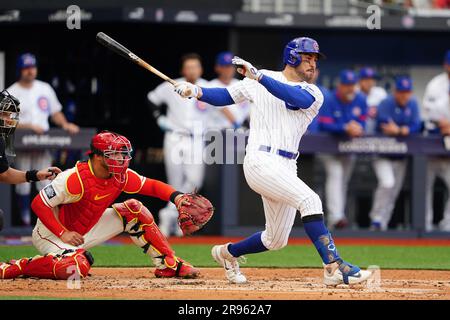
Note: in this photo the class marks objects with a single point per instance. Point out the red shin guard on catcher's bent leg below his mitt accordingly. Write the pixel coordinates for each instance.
(140, 225)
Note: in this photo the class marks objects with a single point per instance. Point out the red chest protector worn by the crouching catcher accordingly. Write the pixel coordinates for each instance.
(97, 195)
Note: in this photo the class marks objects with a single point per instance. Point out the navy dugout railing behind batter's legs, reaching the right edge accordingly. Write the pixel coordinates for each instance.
(417, 148)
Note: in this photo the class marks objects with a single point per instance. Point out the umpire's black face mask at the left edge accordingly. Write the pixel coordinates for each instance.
(9, 114)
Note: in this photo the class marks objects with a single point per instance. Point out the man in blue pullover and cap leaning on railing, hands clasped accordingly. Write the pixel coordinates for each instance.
(398, 115)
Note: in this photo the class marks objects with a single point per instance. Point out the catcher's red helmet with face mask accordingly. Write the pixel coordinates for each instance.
(117, 152)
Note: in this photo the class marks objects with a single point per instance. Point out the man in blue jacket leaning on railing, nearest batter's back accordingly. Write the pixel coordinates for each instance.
(344, 112)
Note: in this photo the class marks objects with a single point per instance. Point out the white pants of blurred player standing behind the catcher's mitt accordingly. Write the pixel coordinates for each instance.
(183, 160)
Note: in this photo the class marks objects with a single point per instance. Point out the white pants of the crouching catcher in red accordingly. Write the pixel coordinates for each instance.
(109, 226)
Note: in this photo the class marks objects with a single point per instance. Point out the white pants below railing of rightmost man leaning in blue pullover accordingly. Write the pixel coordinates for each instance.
(390, 174)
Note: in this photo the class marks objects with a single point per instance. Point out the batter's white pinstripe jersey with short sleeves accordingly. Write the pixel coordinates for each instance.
(271, 123)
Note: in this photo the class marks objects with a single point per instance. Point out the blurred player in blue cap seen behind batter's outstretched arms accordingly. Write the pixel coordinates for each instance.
(231, 116)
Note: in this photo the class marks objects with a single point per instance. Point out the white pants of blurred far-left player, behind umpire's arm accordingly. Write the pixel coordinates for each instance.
(30, 161)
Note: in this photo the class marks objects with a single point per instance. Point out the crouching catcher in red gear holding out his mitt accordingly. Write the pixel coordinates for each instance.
(75, 215)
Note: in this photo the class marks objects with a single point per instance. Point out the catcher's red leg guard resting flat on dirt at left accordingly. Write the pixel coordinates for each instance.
(71, 263)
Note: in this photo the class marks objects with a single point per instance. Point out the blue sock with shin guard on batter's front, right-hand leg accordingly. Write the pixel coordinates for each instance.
(321, 238)
